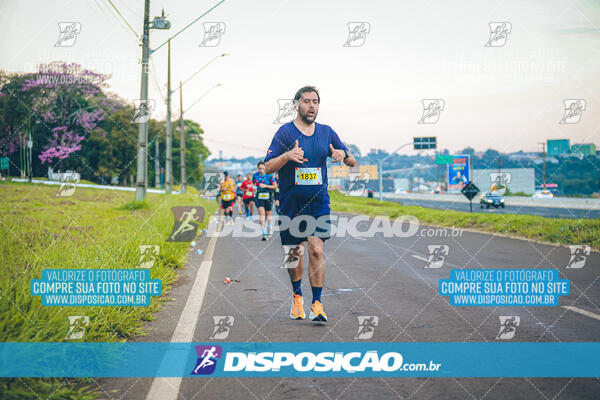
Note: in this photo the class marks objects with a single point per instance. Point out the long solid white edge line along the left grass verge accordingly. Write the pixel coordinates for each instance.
(167, 388)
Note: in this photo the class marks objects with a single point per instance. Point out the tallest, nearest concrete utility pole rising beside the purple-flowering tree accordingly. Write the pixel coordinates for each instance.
(141, 182)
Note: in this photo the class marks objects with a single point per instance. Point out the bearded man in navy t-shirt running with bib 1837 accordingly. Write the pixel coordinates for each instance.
(299, 152)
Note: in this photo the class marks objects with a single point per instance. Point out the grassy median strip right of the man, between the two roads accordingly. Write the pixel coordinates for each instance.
(551, 230)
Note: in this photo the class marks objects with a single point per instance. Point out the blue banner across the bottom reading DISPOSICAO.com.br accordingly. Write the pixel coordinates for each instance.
(299, 359)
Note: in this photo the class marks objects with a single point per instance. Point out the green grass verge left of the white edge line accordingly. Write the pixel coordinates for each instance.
(92, 229)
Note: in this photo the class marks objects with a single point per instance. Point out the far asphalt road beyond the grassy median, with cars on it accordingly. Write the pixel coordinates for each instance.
(551, 212)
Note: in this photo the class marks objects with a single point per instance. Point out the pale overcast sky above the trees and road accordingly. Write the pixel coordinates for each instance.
(506, 97)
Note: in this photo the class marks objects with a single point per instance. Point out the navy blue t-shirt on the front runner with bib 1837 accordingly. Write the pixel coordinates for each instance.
(316, 150)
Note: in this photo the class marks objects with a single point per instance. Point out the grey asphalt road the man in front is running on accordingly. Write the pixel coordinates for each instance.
(377, 276)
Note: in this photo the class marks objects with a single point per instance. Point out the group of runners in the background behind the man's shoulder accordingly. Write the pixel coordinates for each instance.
(258, 190)
